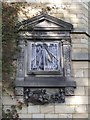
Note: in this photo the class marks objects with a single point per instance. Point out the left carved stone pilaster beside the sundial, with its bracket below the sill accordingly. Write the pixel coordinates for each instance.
(20, 67)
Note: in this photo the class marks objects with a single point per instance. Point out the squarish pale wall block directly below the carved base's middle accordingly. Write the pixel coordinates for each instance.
(47, 109)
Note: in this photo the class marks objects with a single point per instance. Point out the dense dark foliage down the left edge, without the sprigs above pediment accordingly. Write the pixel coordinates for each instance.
(9, 39)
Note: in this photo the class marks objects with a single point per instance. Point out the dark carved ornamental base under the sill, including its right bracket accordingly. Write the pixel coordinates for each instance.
(41, 96)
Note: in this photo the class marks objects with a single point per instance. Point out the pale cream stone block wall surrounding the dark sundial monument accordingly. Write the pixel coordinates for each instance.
(75, 106)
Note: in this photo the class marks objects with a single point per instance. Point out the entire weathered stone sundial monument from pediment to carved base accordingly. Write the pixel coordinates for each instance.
(44, 60)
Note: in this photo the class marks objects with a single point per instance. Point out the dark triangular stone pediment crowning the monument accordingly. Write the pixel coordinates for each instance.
(44, 21)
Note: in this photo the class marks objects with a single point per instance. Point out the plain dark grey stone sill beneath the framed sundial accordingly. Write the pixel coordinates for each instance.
(47, 82)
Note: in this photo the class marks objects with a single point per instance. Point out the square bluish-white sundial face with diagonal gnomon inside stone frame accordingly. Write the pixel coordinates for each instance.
(44, 56)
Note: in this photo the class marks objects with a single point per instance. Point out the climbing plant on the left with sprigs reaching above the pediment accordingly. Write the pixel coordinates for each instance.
(10, 13)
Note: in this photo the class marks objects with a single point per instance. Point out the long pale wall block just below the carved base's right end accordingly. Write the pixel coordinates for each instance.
(64, 109)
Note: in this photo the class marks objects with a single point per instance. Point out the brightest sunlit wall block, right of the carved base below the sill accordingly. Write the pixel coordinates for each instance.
(76, 100)
